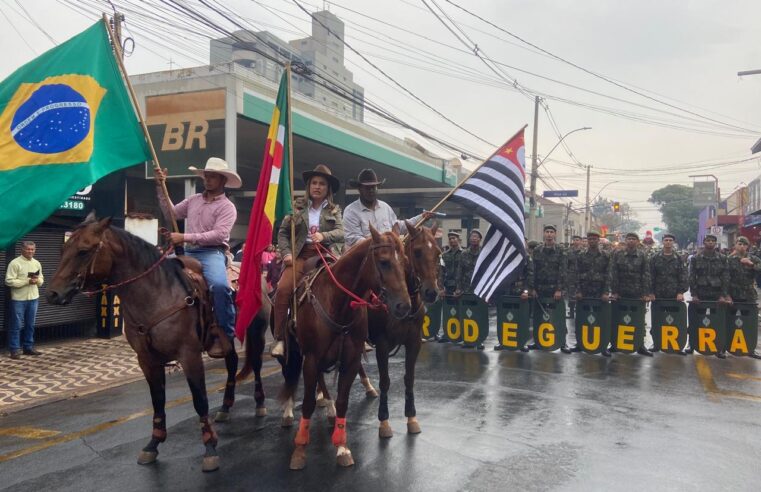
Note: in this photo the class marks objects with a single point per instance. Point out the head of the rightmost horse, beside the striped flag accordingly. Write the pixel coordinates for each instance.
(423, 254)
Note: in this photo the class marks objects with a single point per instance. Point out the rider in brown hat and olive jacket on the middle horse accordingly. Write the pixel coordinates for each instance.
(320, 223)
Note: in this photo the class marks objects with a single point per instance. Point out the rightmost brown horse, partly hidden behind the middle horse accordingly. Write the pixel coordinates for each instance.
(387, 332)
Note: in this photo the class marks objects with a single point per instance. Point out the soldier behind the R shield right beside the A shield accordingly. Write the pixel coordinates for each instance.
(709, 280)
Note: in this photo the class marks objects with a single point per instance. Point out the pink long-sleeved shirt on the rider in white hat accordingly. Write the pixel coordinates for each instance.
(208, 223)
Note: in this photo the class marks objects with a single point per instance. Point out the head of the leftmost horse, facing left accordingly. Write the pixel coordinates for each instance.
(86, 261)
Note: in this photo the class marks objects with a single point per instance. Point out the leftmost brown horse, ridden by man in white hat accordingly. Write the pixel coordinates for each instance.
(161, 313)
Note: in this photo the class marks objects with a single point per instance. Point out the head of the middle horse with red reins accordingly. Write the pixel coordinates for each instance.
(389, 261)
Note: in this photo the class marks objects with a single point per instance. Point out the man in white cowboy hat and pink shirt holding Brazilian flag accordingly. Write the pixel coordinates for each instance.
(209, 218)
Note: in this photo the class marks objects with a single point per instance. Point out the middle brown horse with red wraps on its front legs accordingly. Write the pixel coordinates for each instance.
(331, 334)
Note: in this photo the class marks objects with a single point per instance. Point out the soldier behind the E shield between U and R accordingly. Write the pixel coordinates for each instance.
(630, 278)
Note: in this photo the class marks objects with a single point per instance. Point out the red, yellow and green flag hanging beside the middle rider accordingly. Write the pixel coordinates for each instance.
(272, 202)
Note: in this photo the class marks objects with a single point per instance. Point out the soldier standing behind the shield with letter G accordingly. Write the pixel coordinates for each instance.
(547, 272)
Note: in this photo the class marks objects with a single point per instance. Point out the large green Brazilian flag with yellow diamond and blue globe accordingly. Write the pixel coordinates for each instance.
(66, 121)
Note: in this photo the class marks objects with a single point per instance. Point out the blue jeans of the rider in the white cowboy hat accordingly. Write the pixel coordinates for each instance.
(215, 273)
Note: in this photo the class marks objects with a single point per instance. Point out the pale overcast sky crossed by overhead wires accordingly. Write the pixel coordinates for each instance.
(684, 55)
